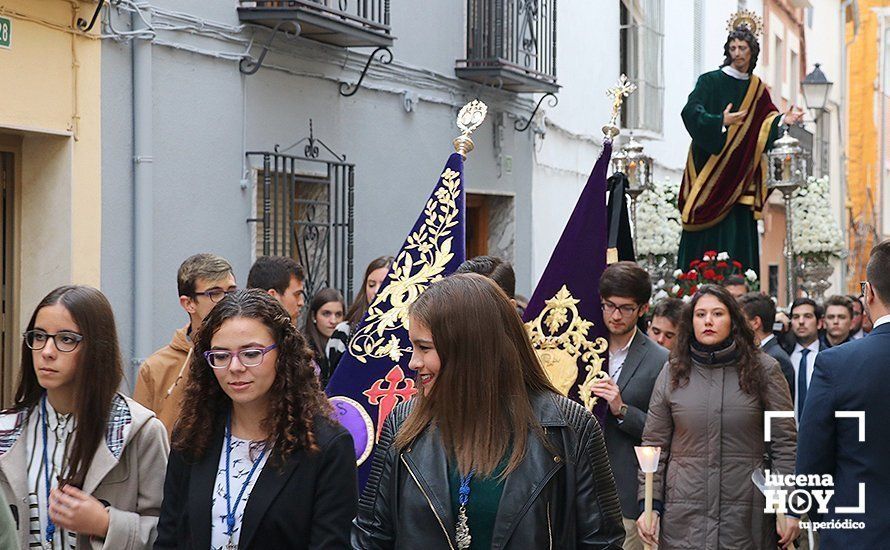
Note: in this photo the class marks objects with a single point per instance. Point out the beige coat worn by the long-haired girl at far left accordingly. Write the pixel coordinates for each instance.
(126, 475)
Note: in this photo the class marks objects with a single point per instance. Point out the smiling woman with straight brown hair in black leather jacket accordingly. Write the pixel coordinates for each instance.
(488, 455)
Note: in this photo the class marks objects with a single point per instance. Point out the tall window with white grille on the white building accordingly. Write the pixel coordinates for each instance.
(642, 60)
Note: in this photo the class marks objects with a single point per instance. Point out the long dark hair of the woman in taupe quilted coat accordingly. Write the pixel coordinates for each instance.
(751, 375)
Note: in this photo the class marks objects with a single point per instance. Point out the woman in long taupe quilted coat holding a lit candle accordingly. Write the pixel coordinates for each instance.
(707, 415)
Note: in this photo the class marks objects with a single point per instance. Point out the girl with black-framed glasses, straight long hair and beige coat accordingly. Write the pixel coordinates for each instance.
(80, 464)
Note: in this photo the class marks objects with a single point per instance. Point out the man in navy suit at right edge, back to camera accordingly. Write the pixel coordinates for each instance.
(854, 378)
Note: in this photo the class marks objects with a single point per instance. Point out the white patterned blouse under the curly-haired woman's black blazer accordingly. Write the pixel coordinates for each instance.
(242, 461)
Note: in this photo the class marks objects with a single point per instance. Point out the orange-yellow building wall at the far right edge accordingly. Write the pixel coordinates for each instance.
(863, 165)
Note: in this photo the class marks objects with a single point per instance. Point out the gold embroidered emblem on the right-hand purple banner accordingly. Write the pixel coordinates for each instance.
(559, 336)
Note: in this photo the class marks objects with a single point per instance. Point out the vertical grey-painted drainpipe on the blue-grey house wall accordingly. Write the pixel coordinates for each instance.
(143, 268)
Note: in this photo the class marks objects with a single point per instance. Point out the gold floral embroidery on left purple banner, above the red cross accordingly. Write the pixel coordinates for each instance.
(420, 263)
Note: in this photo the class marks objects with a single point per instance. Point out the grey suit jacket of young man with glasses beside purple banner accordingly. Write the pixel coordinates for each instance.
(644, 362)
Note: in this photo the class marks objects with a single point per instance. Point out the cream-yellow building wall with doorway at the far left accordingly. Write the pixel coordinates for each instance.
(50, 82)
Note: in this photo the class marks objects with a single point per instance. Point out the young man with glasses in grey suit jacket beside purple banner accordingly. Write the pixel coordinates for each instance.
(634, 363)
